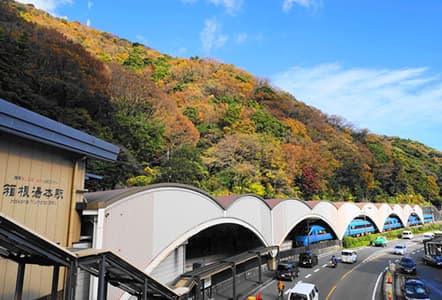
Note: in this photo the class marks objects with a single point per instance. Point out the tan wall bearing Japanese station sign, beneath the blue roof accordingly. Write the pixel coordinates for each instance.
(37, 191)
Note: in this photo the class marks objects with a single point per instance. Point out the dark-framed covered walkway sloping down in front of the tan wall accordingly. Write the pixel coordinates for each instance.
(25, 247)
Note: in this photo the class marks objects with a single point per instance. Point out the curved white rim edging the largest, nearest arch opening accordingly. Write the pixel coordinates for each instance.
(151, 265)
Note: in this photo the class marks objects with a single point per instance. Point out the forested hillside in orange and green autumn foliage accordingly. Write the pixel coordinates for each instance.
(199, 121)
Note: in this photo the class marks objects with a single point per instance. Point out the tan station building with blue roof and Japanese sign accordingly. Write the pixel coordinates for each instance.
(42, 175)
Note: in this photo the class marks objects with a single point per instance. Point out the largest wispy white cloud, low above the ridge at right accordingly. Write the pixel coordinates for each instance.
(404, 102)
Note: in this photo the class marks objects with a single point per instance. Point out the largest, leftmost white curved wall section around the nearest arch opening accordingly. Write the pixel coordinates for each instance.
(148, 215)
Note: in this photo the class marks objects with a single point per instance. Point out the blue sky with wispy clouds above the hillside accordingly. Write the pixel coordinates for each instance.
(376, 63)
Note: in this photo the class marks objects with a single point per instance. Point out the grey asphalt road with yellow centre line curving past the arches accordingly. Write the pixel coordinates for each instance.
(362, 280)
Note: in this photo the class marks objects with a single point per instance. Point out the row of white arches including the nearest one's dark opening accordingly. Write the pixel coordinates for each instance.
(172, 223)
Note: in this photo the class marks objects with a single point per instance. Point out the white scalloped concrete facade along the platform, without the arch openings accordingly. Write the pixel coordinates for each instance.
(149, 211)
